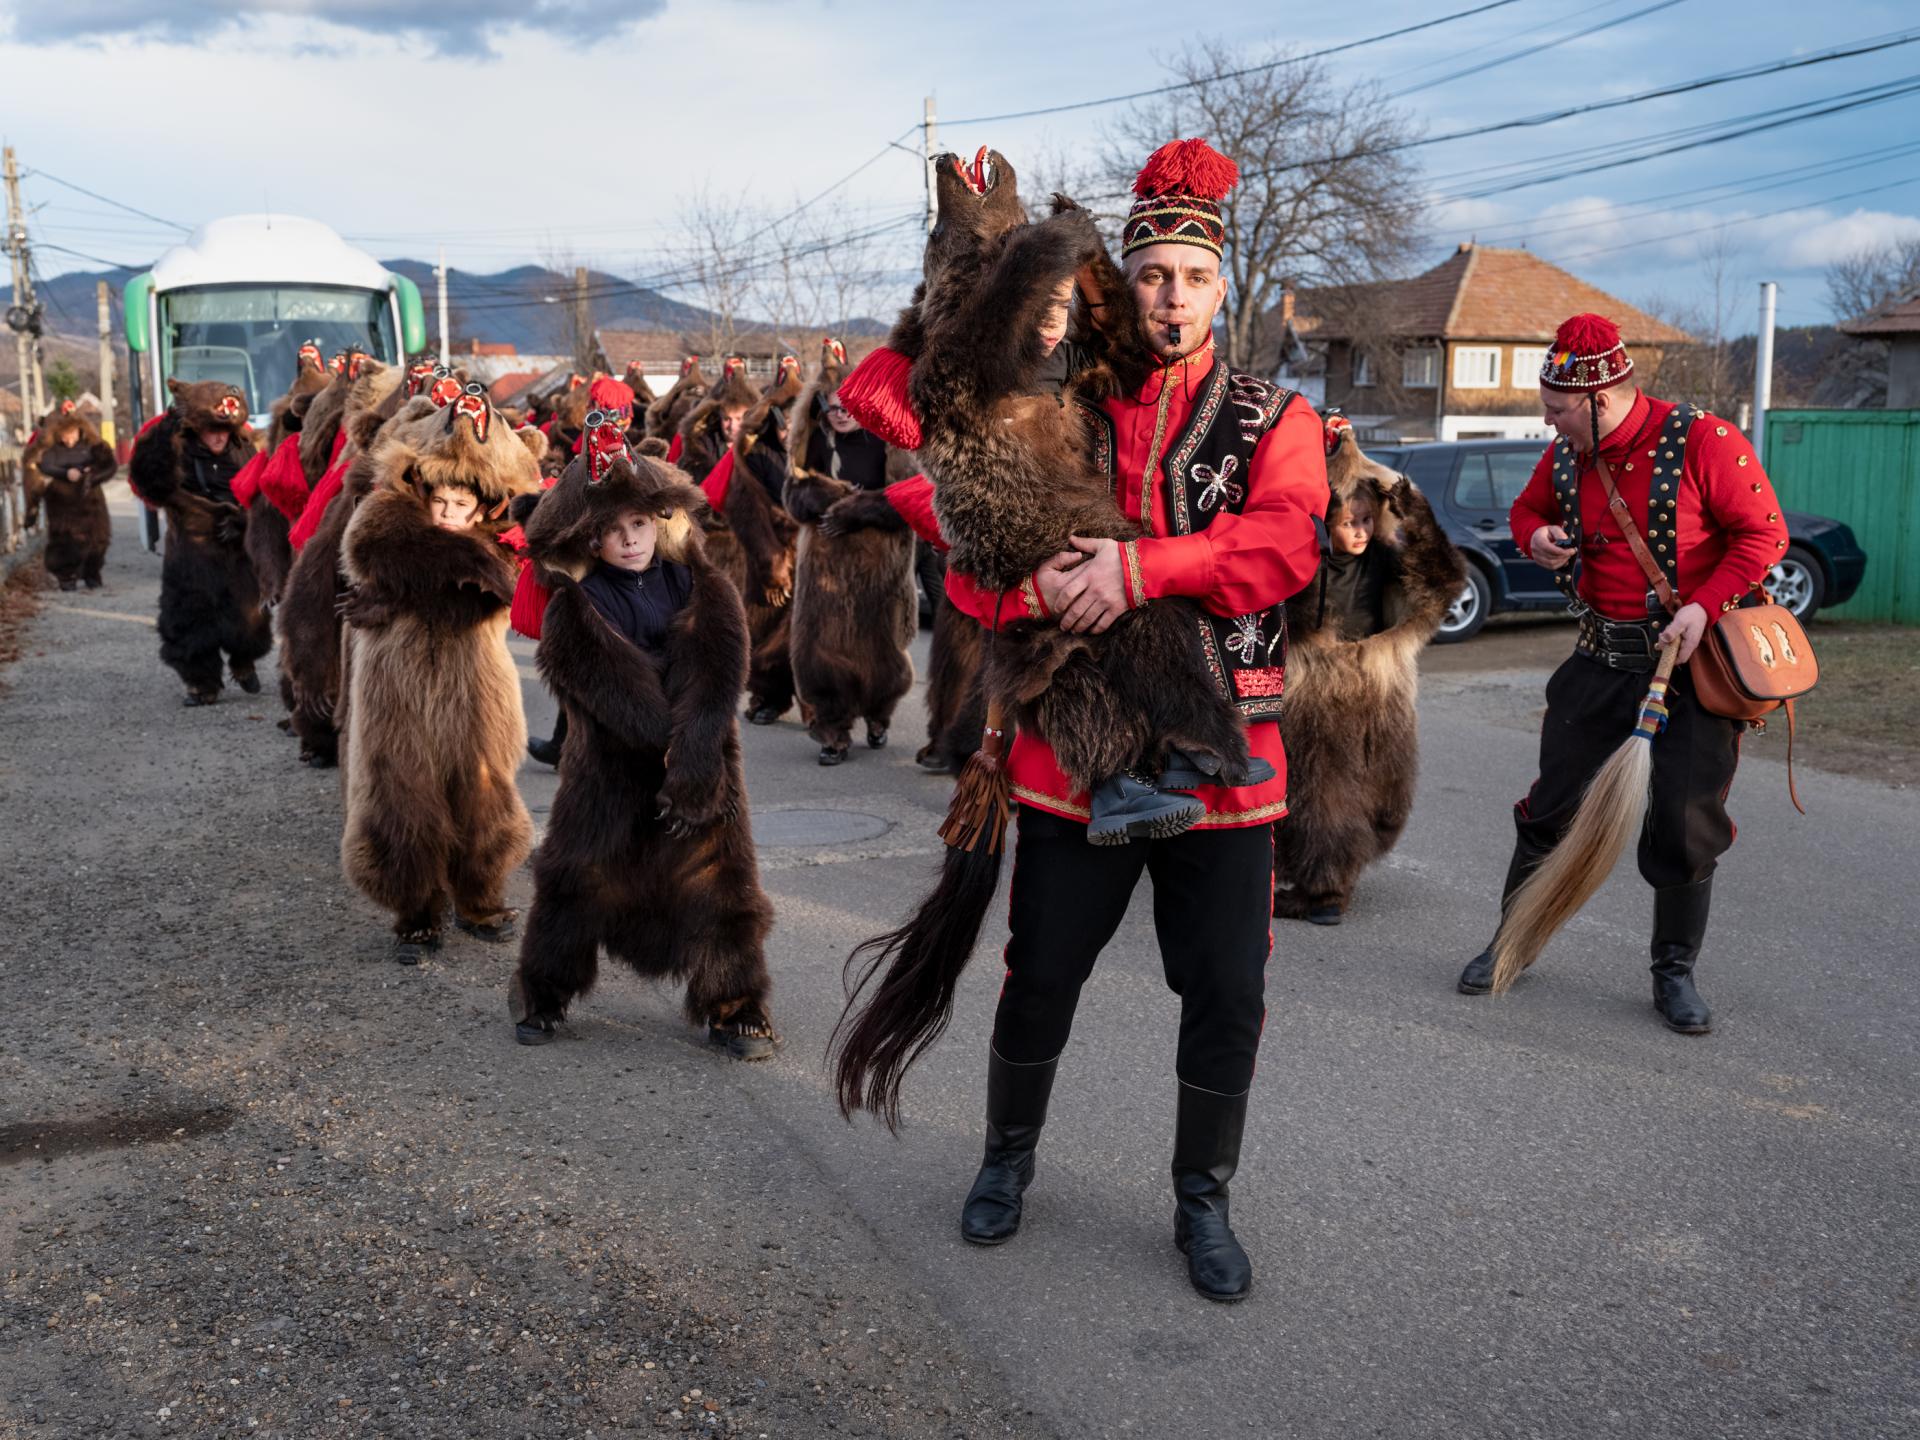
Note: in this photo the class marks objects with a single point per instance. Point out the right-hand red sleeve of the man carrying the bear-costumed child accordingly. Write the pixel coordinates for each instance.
(1262, 556)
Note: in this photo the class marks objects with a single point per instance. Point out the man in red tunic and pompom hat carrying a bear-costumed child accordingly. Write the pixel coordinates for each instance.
(1230, 477)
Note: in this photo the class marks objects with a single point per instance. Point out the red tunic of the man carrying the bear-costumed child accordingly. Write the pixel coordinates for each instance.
(1237, 565)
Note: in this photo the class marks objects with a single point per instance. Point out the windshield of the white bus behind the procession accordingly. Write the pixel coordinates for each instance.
(251, 335)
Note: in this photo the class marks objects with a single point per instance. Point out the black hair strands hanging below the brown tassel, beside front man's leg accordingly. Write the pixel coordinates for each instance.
(892, 1019)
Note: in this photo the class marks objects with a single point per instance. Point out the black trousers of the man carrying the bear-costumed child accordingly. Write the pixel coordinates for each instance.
(1212, 913)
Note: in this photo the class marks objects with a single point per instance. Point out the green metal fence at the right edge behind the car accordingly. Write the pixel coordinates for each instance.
(1861, 468)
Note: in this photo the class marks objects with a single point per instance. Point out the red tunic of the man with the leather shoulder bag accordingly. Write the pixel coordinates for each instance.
(1727, 519)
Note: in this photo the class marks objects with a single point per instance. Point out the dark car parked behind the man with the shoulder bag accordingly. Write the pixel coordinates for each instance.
(1474, 485)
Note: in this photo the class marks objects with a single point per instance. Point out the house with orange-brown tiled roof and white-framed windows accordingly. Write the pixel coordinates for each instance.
(1452, 354)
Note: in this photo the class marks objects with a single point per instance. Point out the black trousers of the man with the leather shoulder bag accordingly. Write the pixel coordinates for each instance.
(1591, 711)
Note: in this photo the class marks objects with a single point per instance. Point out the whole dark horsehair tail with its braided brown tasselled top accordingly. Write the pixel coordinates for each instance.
(880, 1036)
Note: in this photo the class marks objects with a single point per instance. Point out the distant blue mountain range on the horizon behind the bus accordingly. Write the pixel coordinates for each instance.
(510, 306)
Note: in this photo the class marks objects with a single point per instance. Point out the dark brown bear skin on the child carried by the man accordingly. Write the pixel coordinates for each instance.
(988, 429)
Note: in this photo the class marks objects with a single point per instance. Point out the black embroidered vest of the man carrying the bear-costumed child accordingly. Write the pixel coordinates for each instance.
(1207, 468)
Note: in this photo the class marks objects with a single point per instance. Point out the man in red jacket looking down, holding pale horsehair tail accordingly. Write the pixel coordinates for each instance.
(1694, 491)
